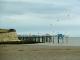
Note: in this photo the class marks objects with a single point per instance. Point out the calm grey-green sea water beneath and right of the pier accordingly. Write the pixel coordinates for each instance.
(72, 41)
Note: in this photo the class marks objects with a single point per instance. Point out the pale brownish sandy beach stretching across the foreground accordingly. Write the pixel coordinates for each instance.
(39, 52)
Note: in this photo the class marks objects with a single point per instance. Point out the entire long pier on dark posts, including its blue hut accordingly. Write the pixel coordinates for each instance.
(44, 38)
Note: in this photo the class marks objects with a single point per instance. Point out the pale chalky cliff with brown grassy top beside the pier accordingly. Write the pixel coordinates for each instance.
(8, 35)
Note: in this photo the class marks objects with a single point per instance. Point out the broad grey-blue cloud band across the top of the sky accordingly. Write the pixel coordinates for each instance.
(34, 7)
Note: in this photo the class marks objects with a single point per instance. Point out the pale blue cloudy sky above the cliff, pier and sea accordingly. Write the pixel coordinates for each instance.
(41, 16)
